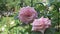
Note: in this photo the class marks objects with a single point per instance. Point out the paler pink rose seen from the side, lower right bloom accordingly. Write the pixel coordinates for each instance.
(41, 24)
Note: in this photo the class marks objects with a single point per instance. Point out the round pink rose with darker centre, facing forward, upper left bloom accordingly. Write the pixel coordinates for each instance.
(27, 14)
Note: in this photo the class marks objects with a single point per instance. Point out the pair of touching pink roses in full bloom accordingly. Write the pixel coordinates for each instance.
(29, 14)
